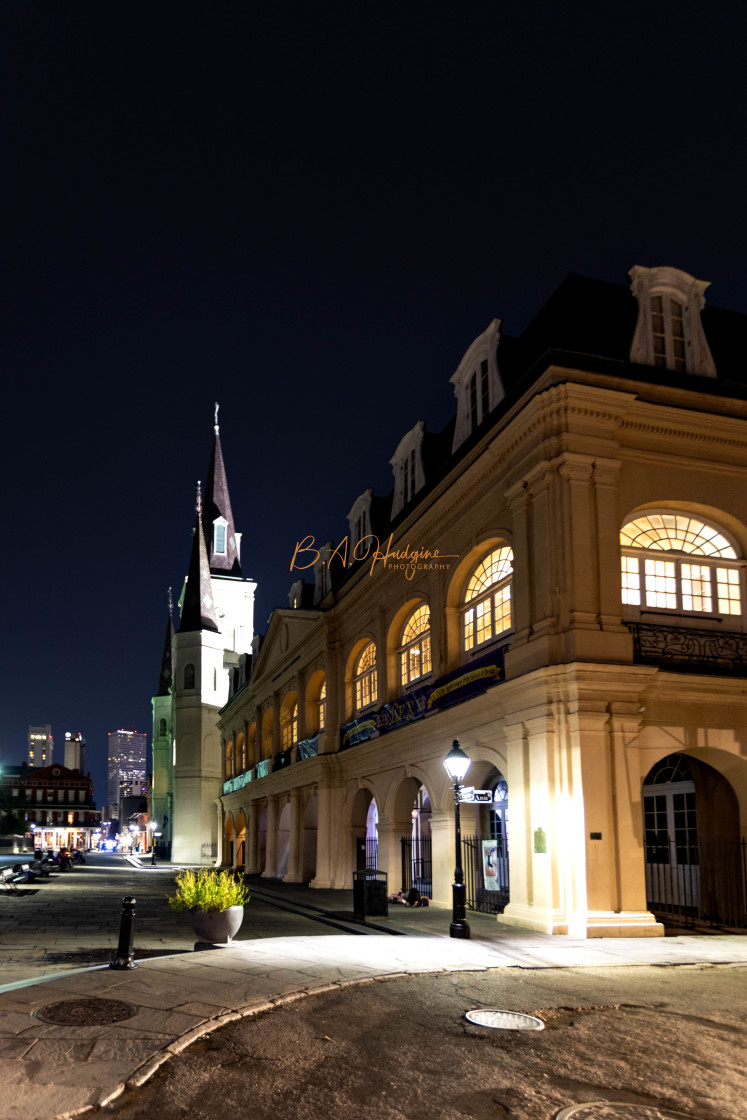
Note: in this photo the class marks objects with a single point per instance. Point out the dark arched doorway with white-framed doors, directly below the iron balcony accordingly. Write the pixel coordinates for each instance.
(695, 860)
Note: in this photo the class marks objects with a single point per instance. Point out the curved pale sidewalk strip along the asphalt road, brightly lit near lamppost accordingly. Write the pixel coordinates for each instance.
(51, 1071)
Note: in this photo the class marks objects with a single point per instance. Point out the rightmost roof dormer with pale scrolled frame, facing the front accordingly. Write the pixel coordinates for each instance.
(669, 333)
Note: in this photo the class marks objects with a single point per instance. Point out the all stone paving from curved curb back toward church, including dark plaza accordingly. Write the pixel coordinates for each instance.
(58, 1071)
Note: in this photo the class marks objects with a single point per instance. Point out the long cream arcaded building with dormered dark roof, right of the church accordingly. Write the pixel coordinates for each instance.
(557, 581)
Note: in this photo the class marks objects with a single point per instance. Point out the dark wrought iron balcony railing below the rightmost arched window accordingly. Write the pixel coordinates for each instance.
(686, 650)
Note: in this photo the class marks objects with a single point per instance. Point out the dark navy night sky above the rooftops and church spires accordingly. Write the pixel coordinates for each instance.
(306, 212)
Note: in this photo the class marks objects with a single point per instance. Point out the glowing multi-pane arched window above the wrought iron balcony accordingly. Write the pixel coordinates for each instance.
(673, 562)
